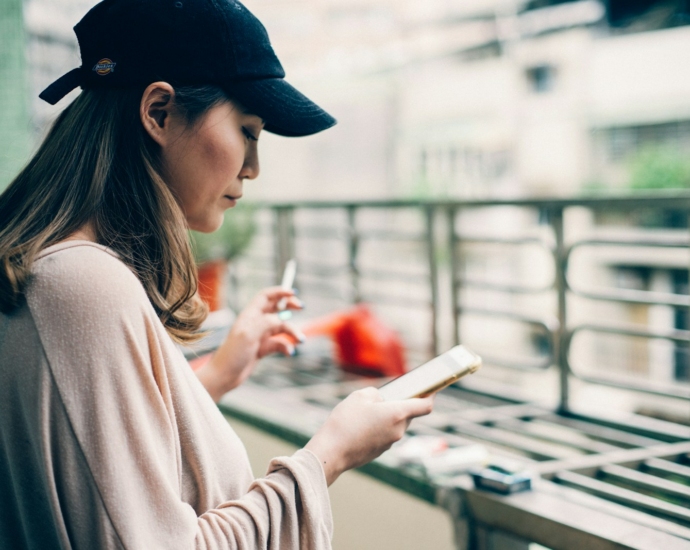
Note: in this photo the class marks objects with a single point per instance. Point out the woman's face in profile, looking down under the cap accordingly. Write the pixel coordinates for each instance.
(206, 163)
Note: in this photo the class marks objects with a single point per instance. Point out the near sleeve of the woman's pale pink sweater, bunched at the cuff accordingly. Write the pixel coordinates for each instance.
(106, 359)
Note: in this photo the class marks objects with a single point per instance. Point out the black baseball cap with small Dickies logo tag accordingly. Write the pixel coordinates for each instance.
(124, 43)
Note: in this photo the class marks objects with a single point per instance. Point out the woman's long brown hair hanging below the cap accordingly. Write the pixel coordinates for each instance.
(98, 165)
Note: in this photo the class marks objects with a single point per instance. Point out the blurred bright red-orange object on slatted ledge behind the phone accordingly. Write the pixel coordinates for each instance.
(364, 345)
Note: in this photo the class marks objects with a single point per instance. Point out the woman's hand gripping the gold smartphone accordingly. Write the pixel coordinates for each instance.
(361, 427)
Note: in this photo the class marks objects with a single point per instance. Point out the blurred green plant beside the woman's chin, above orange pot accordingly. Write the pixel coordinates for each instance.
(228, 242)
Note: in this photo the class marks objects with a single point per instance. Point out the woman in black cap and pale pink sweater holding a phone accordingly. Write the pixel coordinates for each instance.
(109, 440)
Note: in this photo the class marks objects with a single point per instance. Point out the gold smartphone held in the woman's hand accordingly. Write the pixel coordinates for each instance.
(432, 376)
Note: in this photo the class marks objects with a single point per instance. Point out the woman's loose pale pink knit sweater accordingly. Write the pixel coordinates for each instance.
(108, 440)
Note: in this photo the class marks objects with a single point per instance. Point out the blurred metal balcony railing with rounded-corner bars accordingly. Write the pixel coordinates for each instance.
(436, 270)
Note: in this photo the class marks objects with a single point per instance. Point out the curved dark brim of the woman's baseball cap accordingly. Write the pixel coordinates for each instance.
(286, 111)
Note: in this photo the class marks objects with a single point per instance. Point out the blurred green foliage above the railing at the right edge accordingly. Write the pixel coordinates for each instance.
(659, 168)
